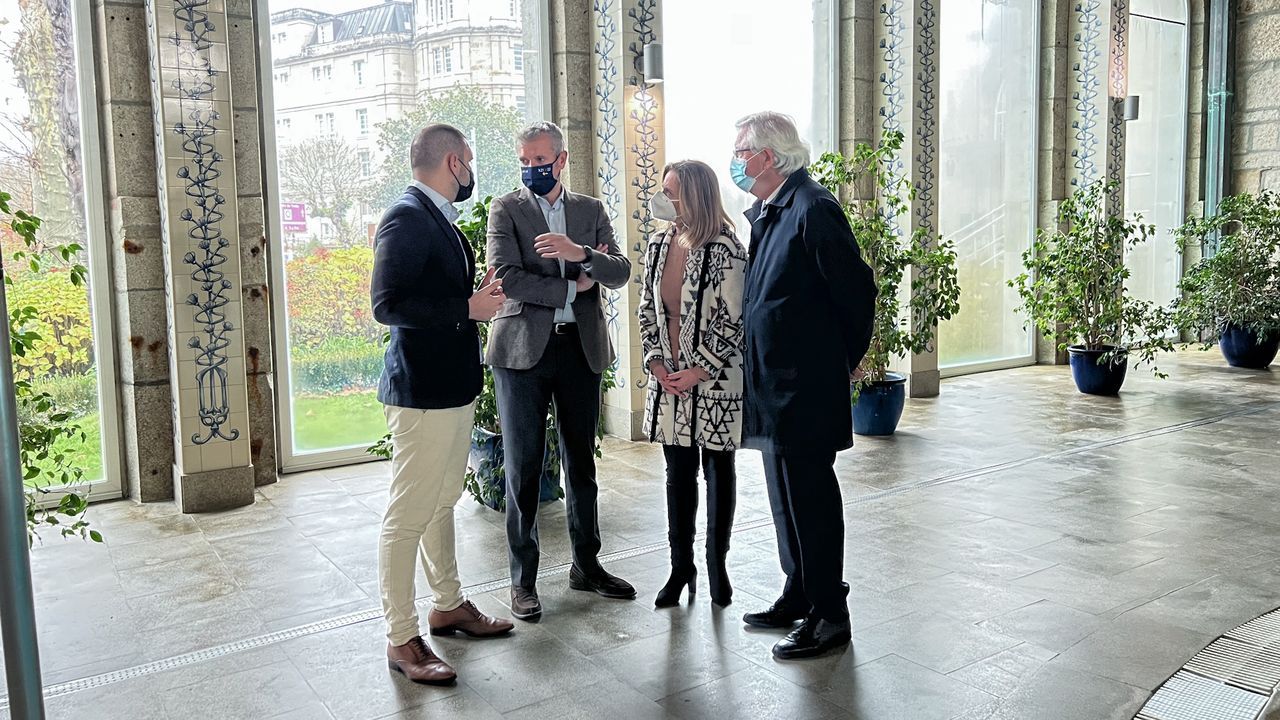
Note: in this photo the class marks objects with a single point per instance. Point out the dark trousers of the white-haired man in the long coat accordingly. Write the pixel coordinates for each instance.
(810, 520)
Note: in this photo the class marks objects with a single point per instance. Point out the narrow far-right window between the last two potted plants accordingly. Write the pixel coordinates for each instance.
(1156, 143)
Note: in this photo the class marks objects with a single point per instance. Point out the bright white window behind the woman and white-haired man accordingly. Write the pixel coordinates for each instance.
(717, 71)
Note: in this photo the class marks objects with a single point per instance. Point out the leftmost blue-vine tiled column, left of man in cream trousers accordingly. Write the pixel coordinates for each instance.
(199, 217)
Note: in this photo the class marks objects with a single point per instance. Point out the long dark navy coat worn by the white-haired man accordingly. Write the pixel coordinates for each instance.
(807, 311)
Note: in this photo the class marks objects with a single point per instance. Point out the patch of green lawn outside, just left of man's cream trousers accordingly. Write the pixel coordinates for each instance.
(337, 421)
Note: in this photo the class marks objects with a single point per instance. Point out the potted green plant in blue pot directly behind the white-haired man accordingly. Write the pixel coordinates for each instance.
(902, 326)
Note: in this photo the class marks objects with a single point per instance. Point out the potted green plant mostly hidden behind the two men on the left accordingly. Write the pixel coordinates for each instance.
(486, 480)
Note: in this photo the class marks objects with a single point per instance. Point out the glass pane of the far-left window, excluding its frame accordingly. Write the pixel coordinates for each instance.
(42, 167)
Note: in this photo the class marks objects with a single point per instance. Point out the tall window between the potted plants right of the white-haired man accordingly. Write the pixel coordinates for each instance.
(988, 177)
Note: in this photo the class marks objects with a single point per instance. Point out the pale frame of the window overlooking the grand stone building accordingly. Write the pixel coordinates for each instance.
(289, 458)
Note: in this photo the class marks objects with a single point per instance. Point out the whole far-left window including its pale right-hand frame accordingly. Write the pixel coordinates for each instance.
(45, 167)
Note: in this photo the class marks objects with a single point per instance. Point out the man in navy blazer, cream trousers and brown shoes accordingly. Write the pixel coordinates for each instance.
(423, 289)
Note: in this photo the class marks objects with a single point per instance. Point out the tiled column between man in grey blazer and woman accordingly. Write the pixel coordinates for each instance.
(629, 160)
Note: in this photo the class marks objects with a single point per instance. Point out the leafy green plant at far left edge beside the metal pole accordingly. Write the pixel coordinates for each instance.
(43, 425)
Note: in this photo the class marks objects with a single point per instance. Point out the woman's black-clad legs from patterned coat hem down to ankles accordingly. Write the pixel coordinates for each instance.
(683, 502)
